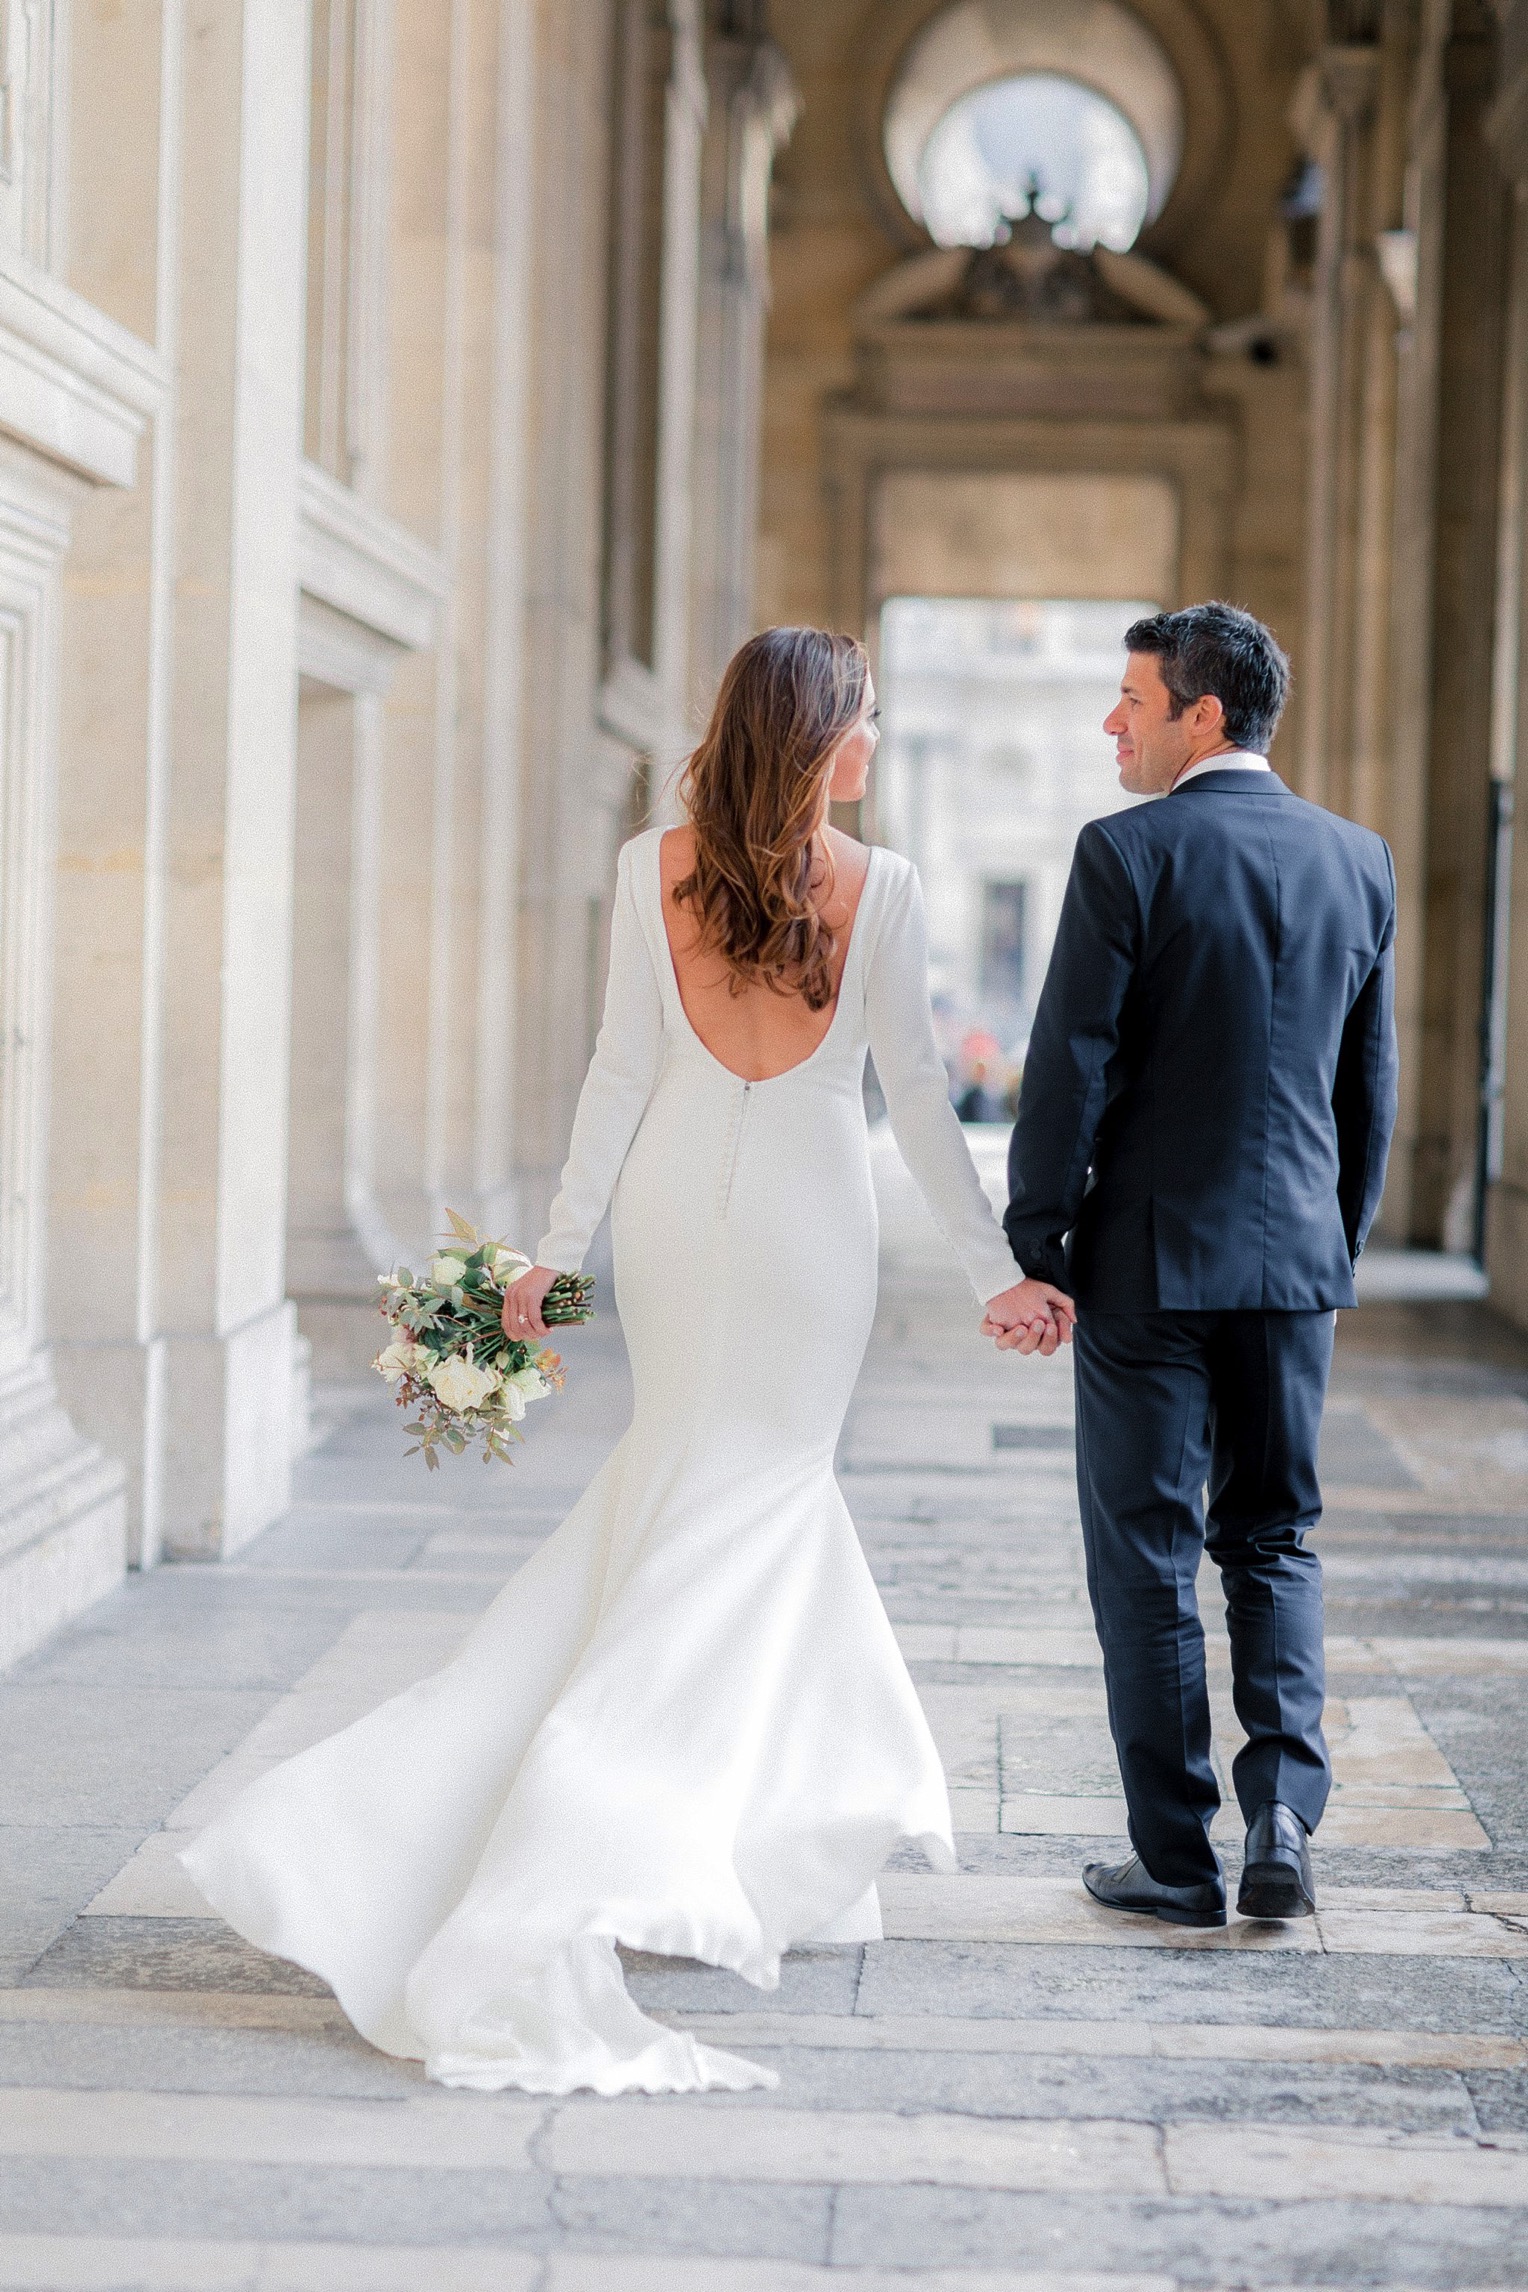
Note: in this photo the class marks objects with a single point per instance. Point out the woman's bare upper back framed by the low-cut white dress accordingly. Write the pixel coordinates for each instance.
(755, 1033)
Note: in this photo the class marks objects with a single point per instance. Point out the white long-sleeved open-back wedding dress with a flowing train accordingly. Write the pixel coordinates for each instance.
(684, 1725)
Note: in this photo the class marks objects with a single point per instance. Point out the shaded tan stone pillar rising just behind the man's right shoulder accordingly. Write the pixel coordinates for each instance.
(1373, 432)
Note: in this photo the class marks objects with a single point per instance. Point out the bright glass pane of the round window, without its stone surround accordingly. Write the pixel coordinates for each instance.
(1034, 141)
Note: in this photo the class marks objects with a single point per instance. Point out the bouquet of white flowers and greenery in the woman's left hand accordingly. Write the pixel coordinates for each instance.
(448, 1351)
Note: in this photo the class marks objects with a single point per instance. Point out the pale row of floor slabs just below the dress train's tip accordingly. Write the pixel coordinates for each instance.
(695, 2140)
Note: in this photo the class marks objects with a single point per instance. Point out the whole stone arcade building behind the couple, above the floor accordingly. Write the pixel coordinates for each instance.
(409, 405)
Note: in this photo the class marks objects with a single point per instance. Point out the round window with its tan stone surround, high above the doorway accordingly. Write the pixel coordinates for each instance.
(1071, 107)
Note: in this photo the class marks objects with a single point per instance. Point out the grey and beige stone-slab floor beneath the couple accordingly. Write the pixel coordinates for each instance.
(1011, 2091)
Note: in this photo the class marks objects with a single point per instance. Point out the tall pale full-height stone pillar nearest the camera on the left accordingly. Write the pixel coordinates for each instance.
(230, 817)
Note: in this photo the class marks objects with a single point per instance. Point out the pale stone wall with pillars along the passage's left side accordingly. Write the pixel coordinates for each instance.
(326, 689)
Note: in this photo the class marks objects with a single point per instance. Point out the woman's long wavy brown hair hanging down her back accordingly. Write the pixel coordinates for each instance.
(755, 801)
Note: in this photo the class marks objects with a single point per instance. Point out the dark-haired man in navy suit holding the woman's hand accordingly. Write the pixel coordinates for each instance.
(1199, 1154)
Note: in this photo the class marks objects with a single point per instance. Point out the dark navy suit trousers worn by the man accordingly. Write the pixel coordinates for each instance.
(1167, 1408)
